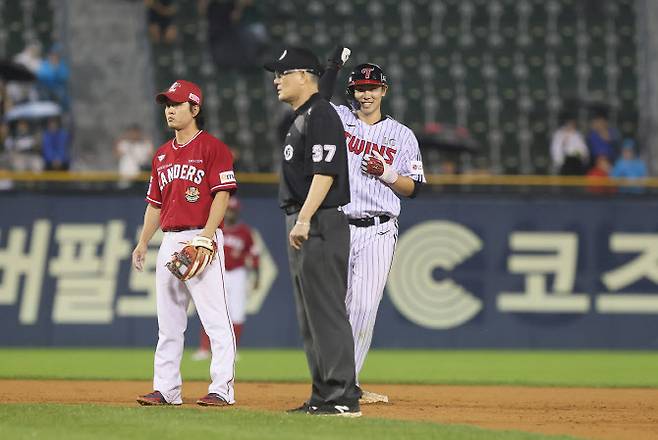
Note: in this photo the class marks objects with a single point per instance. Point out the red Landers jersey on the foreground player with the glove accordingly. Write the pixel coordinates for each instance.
(185, 177)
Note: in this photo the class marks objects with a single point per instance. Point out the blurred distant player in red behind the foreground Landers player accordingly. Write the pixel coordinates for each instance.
(240, 256)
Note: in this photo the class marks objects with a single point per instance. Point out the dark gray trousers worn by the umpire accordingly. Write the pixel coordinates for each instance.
(319, 279)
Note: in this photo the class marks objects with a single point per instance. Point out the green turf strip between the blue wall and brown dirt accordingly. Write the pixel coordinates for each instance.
(536, 368)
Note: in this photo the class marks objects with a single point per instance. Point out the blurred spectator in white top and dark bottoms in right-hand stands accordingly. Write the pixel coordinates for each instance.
(568, 149)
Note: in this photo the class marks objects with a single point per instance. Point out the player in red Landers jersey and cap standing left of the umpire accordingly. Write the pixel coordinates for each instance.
(191, 181)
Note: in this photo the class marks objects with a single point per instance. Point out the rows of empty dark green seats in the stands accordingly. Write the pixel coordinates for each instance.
(501, 68)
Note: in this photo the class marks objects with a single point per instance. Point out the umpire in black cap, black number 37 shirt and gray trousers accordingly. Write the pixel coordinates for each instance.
(314, 185)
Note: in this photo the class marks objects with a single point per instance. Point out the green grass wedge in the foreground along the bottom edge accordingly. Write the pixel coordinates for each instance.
(72, 422)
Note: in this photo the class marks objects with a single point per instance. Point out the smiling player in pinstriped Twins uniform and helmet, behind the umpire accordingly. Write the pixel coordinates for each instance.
(384, 163)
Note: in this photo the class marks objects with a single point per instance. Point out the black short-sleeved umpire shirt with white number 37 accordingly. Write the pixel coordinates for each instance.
(315, 144)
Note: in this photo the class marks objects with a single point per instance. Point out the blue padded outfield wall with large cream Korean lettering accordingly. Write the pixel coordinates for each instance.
(470, 271)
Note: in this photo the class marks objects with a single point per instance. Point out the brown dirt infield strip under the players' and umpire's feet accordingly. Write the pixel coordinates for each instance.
(584, 412)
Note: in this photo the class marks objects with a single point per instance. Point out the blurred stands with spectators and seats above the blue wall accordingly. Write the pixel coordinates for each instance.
(488, 86)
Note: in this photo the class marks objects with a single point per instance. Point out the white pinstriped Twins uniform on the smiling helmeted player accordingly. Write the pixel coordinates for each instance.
(372, 247)
